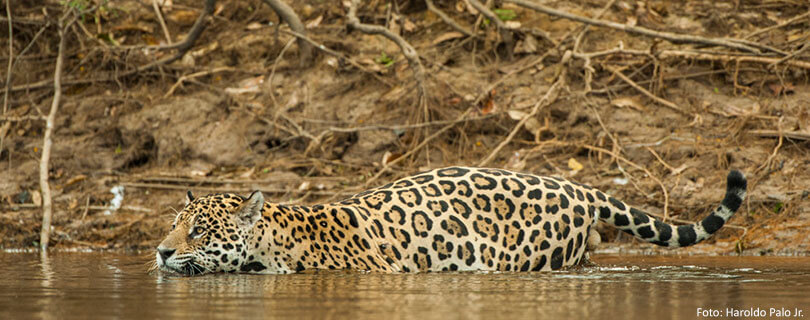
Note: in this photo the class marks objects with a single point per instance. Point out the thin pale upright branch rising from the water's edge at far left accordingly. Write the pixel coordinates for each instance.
(47, 201)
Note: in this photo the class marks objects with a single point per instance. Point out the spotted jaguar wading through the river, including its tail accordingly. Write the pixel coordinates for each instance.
(449, 219)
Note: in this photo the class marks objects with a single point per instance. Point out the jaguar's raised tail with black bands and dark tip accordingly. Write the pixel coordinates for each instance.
(650, 229)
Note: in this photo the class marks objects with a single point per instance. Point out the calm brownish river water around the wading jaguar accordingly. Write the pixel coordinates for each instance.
(116, 286)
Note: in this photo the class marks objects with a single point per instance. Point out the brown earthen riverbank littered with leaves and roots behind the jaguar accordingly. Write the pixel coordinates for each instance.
(243, 111)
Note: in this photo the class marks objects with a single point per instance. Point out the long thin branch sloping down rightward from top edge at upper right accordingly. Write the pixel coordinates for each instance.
(671, 37)
